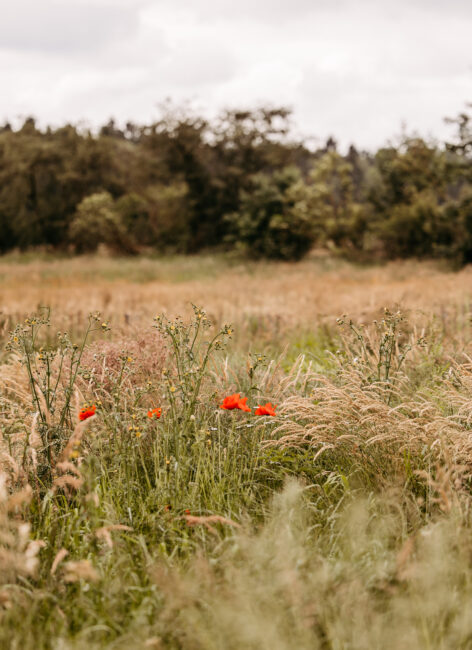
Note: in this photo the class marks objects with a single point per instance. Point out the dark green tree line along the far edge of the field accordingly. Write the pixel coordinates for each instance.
(239, 182)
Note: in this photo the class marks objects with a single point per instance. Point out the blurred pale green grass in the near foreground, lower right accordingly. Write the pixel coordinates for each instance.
(358, 584)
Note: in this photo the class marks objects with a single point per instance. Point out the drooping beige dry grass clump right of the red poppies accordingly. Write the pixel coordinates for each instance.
(353, 424)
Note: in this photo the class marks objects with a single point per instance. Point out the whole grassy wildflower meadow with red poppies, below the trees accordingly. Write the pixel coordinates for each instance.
(135, 512)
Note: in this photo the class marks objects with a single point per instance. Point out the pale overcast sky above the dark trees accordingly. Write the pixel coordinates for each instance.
(356, 69)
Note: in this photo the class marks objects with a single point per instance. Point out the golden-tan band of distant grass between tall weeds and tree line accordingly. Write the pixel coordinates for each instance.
(307, 294)
